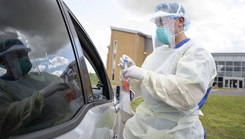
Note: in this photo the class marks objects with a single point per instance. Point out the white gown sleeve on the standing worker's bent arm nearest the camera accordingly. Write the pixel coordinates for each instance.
(195, 73)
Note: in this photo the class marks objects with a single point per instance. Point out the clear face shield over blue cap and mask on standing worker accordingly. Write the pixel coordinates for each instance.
(164, 18)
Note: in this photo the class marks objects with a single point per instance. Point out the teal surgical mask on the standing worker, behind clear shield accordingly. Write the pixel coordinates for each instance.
(163, 35)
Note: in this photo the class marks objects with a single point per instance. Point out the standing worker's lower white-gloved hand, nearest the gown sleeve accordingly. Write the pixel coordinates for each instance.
(133, 72)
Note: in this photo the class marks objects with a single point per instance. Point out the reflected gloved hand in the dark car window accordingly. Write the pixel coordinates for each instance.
(53, 88)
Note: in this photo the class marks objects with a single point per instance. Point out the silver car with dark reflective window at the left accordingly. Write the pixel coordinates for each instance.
(60, 51)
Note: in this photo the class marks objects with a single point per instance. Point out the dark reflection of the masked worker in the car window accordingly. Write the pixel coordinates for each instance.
(28, 101)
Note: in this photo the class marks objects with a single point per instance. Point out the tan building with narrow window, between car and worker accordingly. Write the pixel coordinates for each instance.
(123, 42)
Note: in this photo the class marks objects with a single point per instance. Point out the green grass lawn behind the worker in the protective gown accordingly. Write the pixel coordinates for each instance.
(224, 116)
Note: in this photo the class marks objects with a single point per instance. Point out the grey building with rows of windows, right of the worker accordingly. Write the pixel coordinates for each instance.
(230, 70)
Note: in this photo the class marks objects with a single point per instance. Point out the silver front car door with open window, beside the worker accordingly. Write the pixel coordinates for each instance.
(103, 119)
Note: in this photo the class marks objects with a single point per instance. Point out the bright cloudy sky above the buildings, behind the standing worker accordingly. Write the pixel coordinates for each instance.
(218, 25)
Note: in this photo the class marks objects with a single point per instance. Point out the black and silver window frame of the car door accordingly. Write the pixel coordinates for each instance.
(70, 125)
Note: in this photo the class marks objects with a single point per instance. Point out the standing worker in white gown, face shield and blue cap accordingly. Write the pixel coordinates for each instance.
(175, 80)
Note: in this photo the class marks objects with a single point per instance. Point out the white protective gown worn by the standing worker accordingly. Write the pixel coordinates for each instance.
(175, 85)
